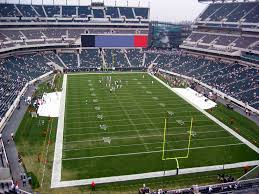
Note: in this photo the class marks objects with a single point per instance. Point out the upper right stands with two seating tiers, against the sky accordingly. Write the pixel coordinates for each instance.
(226, 28)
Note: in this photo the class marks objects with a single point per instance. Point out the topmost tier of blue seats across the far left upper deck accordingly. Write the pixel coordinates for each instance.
(48, 11)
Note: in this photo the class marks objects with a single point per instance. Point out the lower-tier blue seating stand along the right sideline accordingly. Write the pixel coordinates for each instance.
(236, 80)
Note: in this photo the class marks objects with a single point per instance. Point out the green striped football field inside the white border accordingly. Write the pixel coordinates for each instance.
(117, 128)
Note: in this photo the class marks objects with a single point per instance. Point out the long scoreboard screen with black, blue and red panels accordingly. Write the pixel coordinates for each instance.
(114, 40)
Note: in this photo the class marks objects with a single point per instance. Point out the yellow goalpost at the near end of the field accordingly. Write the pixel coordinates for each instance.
(165, 149)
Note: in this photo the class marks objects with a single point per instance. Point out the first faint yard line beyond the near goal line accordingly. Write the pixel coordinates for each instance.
(132, 145)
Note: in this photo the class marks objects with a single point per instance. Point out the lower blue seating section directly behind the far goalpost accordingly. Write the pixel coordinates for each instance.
(115, 58)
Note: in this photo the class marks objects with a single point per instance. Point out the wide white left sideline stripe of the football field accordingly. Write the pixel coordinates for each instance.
(57, 163)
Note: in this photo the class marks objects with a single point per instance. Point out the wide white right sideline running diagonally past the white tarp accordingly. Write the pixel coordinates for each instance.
(231, 131)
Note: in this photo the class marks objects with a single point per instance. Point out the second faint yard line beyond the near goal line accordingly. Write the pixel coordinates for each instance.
(143, 136)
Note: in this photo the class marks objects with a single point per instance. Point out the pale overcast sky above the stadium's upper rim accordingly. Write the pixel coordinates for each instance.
(163, 10)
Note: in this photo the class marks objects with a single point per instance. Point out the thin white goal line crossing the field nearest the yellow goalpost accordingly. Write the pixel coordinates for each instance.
(150, 152)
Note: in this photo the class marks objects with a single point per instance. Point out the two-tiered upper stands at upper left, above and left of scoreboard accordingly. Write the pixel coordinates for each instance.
(31, 25)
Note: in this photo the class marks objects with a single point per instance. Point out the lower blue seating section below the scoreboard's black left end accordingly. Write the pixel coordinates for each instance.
(90, 59)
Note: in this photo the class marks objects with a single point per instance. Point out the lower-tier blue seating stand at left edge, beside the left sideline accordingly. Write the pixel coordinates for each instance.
(15, 73)
